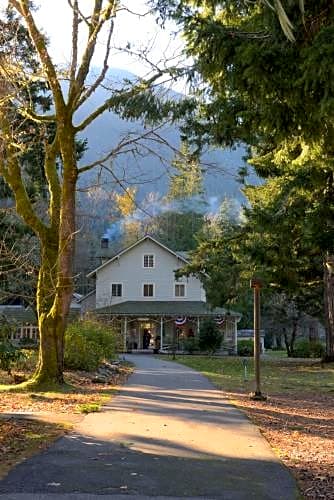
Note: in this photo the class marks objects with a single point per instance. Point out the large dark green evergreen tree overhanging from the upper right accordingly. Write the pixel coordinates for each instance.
(262, 90)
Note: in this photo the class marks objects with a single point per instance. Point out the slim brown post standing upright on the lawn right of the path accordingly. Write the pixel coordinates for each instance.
(256, 284)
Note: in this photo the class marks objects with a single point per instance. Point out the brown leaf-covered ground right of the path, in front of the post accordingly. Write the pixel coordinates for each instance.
(300, 428)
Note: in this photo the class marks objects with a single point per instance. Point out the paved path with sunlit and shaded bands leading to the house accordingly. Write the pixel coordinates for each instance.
(168, 433)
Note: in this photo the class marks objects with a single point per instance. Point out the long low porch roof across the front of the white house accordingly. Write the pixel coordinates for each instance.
(163, 308)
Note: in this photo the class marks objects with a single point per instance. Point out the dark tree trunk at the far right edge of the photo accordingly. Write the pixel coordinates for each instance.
(329, 306)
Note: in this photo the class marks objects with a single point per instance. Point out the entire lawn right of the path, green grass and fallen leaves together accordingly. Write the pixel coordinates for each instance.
(297, 417)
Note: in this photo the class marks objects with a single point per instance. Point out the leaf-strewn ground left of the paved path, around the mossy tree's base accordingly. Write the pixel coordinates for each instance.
(31, 421)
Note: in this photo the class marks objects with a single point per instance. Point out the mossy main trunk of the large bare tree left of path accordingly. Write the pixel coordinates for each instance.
(55, 283)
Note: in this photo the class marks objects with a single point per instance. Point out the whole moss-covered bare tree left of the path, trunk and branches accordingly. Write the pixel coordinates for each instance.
(56, 229)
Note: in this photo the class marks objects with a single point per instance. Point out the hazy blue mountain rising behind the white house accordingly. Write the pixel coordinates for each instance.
(150, 171)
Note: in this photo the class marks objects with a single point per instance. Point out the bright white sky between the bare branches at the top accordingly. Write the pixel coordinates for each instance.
(54, 16)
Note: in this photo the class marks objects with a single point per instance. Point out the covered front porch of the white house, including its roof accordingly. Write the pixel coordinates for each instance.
(161, 326)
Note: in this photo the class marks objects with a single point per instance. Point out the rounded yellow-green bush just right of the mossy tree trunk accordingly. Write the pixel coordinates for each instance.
(88, 344)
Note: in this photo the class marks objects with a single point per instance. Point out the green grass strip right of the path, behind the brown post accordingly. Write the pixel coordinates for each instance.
(277, 375)
